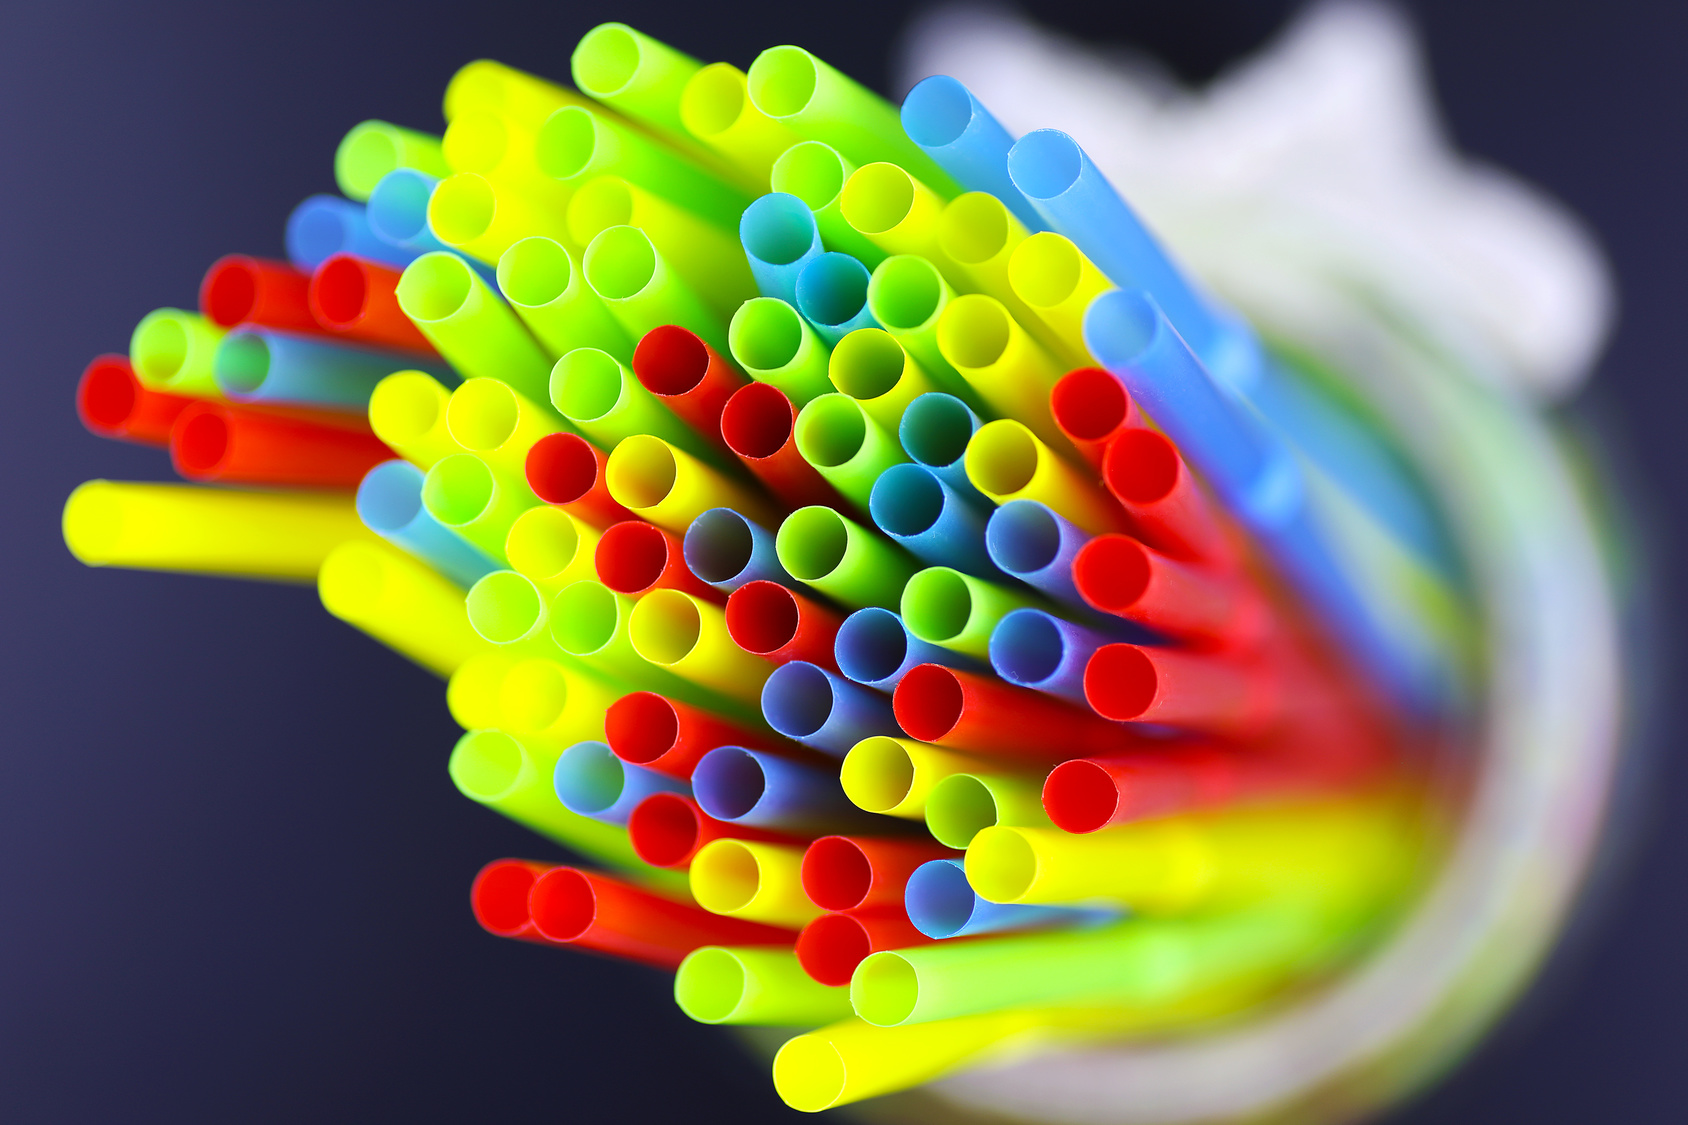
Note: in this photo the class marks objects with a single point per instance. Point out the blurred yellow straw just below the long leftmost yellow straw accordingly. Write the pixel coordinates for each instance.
(401, 602)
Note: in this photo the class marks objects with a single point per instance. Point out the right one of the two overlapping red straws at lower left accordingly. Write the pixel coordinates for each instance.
(598, 913)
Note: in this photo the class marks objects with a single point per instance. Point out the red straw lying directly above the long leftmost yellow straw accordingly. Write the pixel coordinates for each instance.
(235, 445)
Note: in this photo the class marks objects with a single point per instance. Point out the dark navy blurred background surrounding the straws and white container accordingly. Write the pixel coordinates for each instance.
(234, 872)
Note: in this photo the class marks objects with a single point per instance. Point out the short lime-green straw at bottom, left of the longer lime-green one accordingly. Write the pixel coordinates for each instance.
(757, 987)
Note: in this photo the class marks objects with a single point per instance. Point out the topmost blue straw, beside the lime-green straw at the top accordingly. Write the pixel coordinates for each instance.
(955, 129)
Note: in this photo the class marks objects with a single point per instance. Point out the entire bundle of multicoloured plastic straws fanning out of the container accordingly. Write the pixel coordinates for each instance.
(931, 617)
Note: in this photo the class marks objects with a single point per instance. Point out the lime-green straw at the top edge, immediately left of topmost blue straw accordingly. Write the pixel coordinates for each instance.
(818, 102)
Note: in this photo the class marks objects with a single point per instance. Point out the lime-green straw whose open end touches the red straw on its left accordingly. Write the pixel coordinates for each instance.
(470, 325)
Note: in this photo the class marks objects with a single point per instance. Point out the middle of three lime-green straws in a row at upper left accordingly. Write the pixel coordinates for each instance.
(546, 288)
